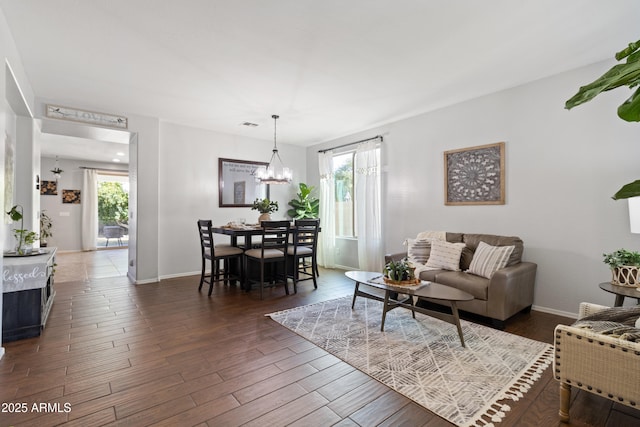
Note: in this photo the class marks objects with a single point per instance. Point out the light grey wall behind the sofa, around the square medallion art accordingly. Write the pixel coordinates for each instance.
(561, 169)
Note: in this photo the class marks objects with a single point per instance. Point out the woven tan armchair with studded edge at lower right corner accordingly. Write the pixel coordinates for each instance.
(596, 363)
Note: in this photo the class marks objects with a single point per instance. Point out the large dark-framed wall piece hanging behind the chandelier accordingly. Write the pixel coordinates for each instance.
(237, 186)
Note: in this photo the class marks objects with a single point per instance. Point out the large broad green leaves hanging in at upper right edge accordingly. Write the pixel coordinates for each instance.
(623, 74)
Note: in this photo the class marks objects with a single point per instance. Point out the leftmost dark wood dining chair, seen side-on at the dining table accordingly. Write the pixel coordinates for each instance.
(217, 255)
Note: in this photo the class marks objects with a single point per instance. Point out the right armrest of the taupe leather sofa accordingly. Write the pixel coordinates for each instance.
(511, 290)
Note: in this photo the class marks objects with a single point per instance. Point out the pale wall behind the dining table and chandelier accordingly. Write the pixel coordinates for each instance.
(188, 189)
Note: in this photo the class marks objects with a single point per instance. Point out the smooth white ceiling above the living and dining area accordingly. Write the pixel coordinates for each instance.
(329, 68)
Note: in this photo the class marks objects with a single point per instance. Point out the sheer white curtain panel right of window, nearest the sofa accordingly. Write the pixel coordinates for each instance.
(367, 198)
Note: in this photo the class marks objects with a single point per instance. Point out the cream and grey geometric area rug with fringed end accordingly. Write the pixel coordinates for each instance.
(422, 358)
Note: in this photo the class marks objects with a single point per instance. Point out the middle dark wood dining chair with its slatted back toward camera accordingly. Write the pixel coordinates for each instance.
(275, 242)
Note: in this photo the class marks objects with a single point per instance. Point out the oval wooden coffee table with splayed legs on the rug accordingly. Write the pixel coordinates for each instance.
(429, 290)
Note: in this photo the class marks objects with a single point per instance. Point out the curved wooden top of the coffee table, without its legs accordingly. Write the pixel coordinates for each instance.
(430, 290)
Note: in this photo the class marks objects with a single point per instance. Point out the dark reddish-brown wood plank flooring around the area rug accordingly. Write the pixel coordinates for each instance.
(117, 354)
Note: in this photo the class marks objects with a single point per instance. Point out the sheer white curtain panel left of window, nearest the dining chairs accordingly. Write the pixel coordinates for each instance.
(327, 238)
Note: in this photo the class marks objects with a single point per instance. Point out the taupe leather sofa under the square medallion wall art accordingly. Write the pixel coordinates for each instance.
(510, 289)
